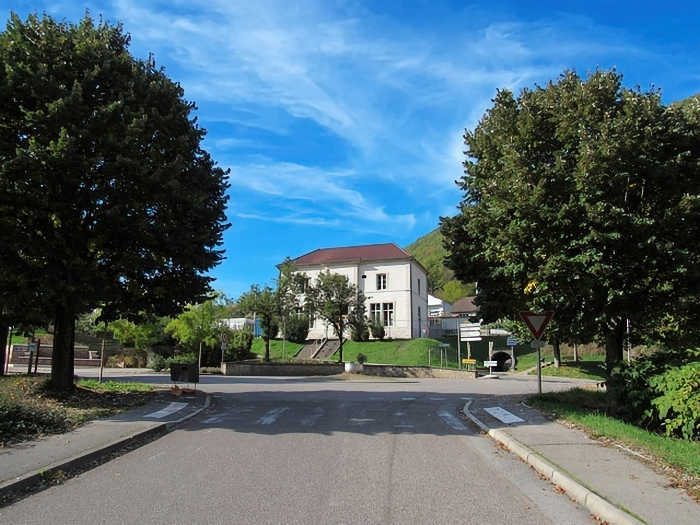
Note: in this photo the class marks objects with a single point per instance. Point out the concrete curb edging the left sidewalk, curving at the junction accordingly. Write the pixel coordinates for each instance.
(33, 478)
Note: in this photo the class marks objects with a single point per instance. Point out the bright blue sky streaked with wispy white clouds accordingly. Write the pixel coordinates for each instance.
(342, 120)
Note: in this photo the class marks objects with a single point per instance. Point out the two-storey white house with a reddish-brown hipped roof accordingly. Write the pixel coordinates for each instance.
(394, 283)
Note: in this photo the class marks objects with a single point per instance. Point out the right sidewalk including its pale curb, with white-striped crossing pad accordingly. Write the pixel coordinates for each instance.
(611, 482)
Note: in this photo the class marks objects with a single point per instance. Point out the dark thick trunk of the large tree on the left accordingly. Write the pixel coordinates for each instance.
(63, 362)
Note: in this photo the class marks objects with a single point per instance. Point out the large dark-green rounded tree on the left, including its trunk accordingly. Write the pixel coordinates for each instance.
(106, 196)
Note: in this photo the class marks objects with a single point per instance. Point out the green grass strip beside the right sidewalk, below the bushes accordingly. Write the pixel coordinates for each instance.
(586, 409)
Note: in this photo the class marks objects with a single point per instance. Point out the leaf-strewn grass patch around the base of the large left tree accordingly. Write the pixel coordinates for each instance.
(28, 409)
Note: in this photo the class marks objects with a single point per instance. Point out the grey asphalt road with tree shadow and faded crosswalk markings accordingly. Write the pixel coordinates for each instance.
(317, 451)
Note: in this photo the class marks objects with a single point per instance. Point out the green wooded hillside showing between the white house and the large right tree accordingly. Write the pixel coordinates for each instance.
(429, 251)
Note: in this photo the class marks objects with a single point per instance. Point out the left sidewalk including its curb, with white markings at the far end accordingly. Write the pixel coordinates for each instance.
(26, 464)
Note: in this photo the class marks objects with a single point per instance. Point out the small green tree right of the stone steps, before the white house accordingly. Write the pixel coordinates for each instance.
(332, 297)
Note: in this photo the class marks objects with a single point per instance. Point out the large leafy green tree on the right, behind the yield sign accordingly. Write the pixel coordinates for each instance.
(580, 197)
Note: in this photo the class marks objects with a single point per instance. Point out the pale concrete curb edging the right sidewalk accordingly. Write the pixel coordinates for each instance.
(575, 490)
